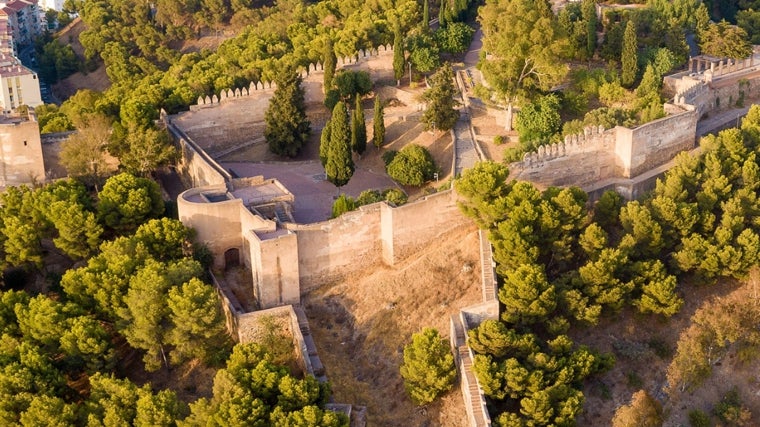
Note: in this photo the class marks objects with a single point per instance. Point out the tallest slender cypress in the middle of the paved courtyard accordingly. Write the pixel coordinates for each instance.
(339, 166)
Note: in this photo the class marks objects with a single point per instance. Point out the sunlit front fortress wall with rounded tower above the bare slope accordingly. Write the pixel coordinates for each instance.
(287, 259)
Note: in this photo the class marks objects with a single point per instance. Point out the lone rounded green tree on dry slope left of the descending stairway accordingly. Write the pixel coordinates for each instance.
(428, 369)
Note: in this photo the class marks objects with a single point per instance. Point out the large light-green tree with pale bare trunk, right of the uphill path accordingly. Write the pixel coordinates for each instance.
(524, 46)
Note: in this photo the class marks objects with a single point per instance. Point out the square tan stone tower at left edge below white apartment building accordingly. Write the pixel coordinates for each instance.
(21, 159)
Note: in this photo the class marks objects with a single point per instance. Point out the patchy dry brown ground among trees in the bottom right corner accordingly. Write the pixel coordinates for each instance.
(643, 346)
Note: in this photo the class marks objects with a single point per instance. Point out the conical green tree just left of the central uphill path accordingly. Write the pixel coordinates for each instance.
(440, 113)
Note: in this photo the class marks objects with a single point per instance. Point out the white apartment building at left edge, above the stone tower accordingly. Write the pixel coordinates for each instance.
(18, 85)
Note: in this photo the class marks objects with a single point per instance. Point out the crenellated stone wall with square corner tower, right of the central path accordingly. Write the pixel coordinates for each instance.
(620, 158)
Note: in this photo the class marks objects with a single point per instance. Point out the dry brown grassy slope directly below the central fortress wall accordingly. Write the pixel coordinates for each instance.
(362, 324)
